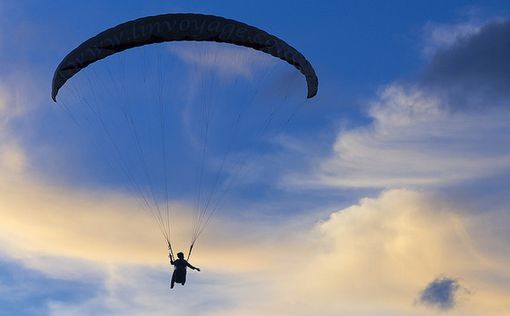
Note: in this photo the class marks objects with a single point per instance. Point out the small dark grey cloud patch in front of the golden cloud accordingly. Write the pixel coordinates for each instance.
(440, 293)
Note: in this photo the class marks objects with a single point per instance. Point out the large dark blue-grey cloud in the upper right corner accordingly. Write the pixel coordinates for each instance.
(475, 71)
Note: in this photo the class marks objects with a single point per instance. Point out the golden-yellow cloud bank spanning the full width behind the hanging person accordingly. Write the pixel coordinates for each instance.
(377, 253)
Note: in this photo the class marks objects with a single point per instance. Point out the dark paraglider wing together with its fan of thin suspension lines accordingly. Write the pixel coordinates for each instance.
(107, 97)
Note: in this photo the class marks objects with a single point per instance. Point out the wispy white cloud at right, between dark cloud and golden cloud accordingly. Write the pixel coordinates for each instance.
(415, 141)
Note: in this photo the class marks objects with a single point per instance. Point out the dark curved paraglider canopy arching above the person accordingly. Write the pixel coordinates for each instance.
(179, 27)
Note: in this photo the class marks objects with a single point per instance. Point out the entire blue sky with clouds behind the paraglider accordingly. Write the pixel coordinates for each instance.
(391, 183)
